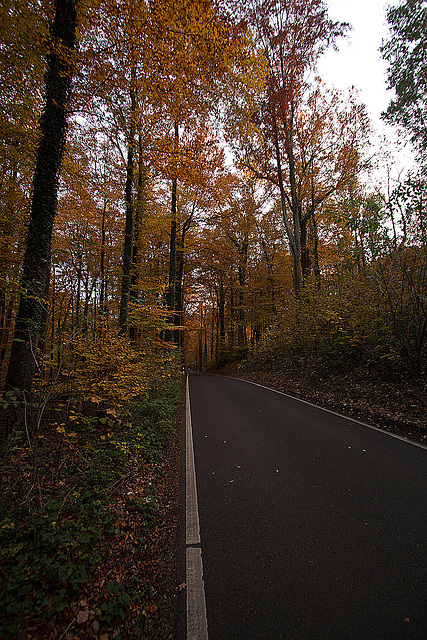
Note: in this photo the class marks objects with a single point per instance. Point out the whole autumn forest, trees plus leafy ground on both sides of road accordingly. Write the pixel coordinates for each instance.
(180, 188)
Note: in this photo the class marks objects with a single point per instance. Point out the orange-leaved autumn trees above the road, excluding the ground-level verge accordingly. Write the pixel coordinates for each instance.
(176, 176)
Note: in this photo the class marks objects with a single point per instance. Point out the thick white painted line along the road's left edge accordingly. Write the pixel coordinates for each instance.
(197, 628)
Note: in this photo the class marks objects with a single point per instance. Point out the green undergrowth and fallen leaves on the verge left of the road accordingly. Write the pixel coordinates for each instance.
(76, 515)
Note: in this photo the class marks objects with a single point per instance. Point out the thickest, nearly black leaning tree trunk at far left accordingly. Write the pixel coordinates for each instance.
(36, 267)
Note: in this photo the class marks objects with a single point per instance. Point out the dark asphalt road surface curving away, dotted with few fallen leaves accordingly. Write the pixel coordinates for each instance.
(312, 525)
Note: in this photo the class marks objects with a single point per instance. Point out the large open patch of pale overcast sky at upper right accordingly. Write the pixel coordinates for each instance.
(358, 62)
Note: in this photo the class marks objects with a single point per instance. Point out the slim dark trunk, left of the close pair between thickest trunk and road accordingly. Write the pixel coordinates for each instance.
(128, 243)
